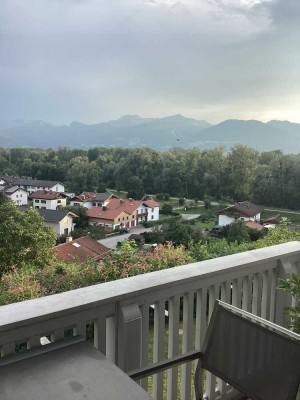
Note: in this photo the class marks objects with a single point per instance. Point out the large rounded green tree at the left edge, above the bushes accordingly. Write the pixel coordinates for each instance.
(24, 239)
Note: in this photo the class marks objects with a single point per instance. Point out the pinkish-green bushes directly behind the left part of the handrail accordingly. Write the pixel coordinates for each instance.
(28, 283)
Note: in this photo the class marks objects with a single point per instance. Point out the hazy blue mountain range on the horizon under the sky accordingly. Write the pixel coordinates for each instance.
(157, 133)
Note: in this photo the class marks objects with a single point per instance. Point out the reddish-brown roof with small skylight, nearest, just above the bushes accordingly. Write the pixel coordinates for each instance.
(81, 249)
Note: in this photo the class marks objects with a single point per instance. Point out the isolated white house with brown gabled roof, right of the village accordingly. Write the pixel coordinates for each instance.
(244, 211)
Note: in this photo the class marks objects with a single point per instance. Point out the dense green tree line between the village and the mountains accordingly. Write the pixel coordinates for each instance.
(268, 178)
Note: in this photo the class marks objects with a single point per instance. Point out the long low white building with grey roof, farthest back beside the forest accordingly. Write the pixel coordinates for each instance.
(32, 185)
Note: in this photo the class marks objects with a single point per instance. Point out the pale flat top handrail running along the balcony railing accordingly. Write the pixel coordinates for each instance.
(36, 310)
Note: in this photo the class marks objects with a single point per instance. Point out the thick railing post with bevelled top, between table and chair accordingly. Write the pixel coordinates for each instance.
(129, 337)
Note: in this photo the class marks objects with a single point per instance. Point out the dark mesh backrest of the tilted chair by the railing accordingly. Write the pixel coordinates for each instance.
(258, 358)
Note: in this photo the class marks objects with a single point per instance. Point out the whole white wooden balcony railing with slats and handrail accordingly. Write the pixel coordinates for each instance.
(172, 306)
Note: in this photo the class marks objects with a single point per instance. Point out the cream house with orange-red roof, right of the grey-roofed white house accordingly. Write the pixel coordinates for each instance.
(106, 218)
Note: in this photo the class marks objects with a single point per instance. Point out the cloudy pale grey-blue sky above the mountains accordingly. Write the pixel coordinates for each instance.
(96, 60)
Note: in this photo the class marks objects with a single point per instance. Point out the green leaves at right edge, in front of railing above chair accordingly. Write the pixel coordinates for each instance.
(292, 286)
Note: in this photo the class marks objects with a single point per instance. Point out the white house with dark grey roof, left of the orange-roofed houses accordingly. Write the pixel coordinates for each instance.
(62, 222)
